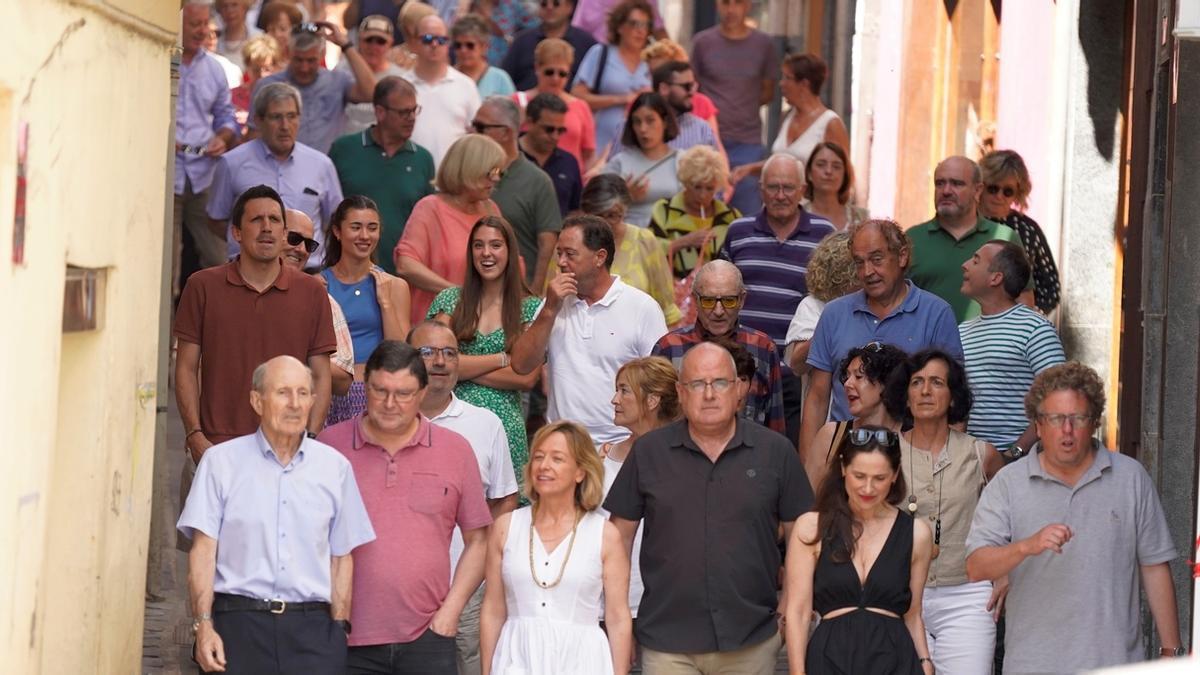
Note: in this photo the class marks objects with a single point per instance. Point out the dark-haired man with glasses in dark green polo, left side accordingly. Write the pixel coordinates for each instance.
(382, 163)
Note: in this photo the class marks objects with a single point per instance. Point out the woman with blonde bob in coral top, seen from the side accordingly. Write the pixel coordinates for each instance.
(429, 255)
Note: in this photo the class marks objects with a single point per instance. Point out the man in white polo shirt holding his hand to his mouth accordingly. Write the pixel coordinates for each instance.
(590, 326)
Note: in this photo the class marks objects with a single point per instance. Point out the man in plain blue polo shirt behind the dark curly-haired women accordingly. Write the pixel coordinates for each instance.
(889, 310)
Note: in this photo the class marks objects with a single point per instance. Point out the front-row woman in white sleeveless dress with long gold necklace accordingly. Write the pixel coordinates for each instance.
(548, 565)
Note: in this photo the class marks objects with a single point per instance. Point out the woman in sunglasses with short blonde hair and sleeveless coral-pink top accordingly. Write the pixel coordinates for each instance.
(553, 63)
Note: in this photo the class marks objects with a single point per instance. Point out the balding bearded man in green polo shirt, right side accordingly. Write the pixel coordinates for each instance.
(941, 246)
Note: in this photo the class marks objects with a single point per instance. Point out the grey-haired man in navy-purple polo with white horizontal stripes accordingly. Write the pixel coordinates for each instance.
(772, 250)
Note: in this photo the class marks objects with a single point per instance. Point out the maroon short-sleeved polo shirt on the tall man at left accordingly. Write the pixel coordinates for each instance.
(238, 328)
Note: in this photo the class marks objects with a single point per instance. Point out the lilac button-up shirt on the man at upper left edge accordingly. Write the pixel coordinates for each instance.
(203, 109)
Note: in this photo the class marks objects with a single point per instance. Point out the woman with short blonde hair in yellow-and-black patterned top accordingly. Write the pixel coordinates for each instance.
(693, 224)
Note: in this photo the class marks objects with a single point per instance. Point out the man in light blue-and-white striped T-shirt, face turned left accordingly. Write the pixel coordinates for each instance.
(1005, 348)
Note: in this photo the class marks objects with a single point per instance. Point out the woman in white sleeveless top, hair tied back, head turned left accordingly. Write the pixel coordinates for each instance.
(809, 122)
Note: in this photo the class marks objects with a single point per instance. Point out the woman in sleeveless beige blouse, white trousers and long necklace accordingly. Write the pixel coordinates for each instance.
(946, 470)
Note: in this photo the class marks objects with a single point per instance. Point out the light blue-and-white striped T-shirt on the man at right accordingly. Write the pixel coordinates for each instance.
(1004, 353)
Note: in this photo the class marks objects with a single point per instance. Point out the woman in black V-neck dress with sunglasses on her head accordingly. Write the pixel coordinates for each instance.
(861, 564)
